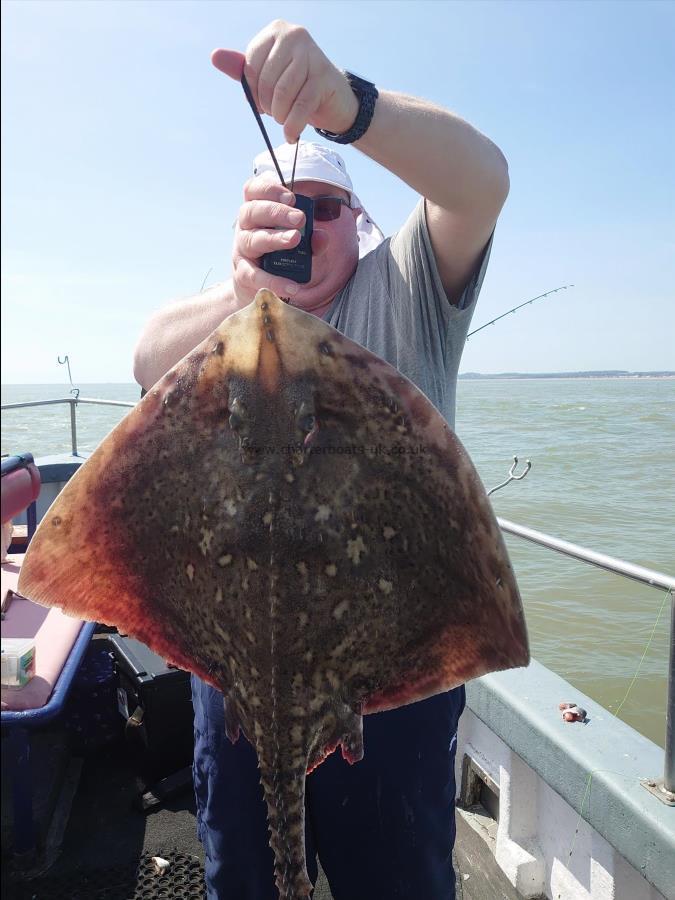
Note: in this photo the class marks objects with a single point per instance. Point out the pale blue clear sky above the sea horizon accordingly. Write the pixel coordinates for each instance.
(124, 153)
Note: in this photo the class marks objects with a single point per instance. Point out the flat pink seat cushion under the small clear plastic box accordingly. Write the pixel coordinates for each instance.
(54, 633)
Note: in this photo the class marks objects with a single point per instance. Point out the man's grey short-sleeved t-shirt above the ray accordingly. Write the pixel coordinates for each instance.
(396, 307)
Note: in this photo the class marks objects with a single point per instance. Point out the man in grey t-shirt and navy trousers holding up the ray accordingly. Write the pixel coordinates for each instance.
(383, 828)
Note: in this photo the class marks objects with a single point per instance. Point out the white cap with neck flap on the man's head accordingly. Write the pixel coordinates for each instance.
(316, 162)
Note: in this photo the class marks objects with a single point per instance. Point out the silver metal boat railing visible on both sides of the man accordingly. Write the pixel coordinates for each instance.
(664, 789)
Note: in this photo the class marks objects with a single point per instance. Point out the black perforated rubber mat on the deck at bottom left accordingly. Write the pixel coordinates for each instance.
(183, 880)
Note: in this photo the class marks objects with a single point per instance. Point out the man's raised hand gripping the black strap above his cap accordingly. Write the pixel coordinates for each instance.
(292, 80)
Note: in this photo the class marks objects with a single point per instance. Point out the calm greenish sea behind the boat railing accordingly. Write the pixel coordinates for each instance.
(603, 475)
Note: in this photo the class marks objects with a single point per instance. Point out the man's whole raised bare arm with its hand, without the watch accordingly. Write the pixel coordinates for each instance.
(461, 174)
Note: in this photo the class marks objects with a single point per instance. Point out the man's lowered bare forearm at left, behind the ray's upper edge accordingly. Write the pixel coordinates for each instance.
(175, 330)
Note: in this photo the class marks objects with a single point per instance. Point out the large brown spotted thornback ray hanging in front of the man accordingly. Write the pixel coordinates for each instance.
(288, 517)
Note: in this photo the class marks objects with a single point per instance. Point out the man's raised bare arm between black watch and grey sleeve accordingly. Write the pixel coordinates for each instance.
(461, 174)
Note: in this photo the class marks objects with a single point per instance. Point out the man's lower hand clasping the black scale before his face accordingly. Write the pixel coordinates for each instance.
(267, 222)
